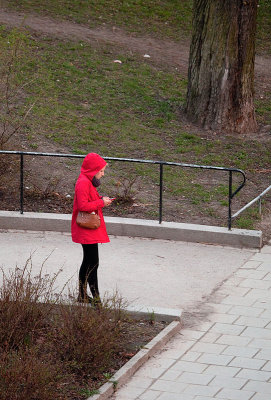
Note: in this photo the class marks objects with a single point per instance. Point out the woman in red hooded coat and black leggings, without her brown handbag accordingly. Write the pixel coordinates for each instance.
(87, 199)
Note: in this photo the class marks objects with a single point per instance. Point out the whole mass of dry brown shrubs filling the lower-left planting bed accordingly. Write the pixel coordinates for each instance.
(50, 348)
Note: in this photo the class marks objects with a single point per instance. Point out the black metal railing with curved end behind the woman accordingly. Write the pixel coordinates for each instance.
(161, 165)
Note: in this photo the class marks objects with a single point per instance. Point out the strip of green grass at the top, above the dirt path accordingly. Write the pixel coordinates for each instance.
(164, 19)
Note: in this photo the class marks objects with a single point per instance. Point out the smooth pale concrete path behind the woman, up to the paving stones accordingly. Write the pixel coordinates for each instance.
(157, 273)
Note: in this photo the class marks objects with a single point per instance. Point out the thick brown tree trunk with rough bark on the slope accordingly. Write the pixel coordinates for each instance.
(221, 65)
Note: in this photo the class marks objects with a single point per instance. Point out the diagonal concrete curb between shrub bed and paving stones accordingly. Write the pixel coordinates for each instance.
(128, 369)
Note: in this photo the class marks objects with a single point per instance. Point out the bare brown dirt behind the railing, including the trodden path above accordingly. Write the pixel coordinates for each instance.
(58, 198)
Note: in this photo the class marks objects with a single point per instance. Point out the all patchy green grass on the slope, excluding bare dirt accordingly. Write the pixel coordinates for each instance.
(86, 102)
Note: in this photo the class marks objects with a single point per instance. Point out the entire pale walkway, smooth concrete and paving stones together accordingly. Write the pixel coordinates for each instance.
(224, 348)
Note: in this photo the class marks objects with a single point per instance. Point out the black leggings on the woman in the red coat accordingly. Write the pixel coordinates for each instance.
(88, 271)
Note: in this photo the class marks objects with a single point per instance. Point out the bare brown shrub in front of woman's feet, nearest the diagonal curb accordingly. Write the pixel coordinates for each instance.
(86, 338)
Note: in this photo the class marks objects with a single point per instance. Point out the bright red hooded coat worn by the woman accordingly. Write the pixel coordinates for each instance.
(87, 198)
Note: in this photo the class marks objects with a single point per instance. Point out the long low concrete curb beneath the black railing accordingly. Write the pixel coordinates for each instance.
(138, 228)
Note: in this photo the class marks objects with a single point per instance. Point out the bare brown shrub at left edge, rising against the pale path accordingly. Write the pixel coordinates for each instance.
(22, 315)
